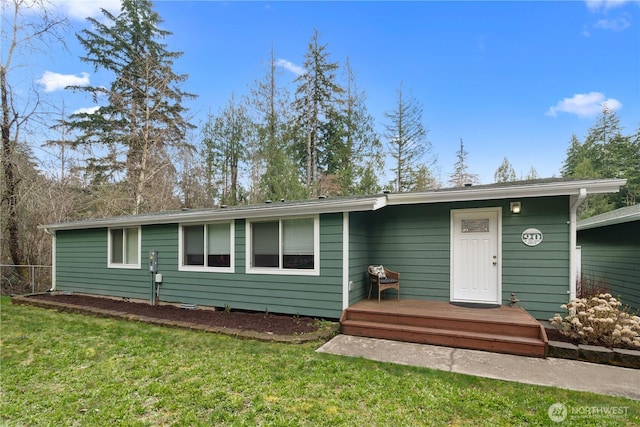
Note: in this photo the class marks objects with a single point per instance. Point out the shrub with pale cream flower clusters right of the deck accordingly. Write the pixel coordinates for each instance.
(599, 320)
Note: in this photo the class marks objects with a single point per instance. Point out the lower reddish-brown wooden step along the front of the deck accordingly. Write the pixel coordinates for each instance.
(525, 346)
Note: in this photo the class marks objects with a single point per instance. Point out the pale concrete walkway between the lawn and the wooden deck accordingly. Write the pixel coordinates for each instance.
(567, 374)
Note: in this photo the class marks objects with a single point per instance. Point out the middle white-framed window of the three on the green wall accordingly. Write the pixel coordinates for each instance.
(207, 247)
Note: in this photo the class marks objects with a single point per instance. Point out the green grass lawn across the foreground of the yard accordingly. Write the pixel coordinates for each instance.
(60, 369)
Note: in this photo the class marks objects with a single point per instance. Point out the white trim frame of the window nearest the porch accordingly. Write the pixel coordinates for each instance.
(280, 270)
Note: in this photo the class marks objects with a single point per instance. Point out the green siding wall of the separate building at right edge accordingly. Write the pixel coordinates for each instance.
(611, 255)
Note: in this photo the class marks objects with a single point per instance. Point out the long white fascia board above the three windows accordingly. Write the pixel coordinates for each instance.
(270, 210)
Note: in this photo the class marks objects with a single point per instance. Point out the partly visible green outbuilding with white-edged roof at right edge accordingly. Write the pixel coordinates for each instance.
(610, 253)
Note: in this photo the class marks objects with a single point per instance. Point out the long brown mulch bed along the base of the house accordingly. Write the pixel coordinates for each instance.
(239, 320)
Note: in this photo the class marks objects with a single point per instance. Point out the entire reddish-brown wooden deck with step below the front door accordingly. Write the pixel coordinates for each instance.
(500, 329)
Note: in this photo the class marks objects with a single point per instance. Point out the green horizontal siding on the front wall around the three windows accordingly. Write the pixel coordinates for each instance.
(82, 267)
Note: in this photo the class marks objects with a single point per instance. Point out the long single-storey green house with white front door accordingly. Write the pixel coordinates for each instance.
(476, 244)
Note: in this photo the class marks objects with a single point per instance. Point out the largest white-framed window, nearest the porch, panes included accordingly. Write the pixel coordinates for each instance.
(288, 246)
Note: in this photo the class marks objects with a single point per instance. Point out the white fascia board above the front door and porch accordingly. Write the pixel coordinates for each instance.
(508, 192)
